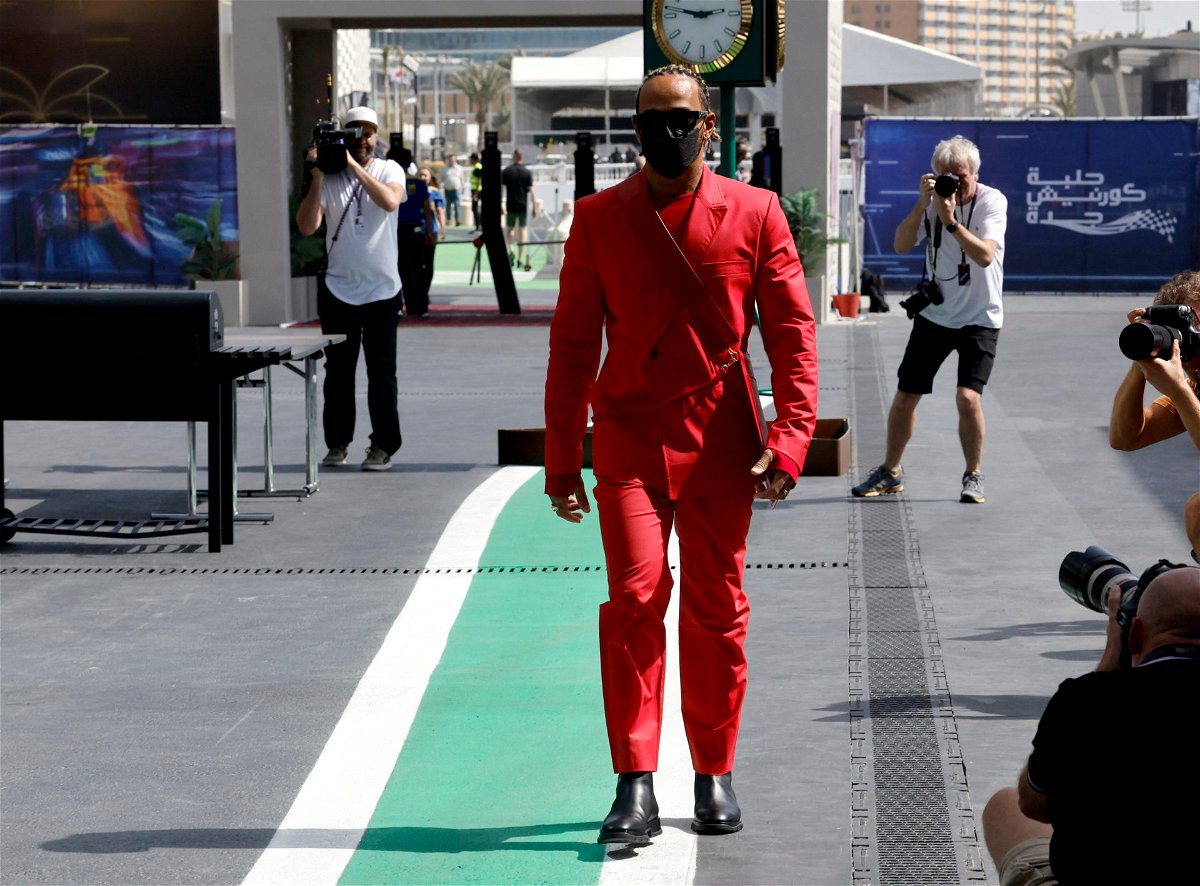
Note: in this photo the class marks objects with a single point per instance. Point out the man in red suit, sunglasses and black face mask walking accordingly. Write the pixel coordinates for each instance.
(670, 267)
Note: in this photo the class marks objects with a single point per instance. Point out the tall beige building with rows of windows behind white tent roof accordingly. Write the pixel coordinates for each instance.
(1018, 44)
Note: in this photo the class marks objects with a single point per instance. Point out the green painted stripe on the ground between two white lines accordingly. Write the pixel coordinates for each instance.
(506, 774)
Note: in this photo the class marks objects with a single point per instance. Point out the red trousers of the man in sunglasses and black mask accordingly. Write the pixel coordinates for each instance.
(635, 526)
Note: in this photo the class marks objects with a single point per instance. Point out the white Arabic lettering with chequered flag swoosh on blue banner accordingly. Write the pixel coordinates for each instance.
(1083, 203)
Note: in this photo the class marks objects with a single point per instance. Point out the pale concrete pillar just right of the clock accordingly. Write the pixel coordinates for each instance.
(811, 130)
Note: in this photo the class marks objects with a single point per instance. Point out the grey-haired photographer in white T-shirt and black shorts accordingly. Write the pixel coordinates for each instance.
(957, 308)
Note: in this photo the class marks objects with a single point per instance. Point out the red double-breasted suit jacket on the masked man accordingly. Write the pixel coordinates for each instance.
(661, 403)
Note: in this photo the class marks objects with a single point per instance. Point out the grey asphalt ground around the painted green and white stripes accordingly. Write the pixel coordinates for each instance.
(161, 705)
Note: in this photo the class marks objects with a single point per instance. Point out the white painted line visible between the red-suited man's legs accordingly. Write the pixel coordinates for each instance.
(671, 859)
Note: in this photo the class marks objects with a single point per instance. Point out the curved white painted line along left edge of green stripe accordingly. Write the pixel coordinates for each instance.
(340, 795)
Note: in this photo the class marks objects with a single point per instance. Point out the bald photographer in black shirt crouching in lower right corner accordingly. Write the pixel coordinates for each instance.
(1109, 794)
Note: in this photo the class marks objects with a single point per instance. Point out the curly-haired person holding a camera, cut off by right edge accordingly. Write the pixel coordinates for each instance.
(1137, 427)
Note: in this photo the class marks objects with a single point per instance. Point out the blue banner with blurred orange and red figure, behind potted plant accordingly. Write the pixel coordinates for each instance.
(98, 205)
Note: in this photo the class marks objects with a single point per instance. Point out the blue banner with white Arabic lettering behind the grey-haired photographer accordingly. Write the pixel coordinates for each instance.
(1094, 206)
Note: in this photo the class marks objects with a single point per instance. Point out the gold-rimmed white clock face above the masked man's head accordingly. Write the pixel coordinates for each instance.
(705, 34)
